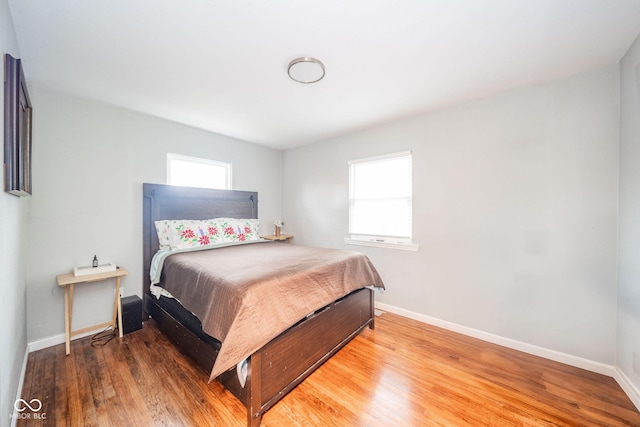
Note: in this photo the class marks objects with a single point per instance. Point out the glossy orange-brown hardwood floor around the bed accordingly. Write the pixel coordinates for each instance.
(403, 373)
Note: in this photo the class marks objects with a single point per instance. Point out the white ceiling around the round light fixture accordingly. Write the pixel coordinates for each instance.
(222, 65)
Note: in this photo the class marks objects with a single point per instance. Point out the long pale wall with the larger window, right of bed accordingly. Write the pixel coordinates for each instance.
(515, 207)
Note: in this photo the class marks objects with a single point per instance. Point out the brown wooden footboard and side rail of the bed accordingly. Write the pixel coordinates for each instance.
(287, 360)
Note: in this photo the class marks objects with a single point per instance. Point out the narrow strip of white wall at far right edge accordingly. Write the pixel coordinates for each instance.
(628, 354)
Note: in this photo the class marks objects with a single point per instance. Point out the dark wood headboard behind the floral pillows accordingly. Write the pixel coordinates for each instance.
(171, 202)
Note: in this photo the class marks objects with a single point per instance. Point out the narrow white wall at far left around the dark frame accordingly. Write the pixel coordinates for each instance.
(13, 216)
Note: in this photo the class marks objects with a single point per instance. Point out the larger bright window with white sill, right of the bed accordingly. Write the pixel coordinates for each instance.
(380, 200)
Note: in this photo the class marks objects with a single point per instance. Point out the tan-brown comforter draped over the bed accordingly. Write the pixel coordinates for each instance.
(247, 295)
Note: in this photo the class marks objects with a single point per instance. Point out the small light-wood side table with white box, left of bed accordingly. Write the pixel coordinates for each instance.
(69, 281)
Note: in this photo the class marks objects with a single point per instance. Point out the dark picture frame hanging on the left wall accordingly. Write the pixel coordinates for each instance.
(17, 129)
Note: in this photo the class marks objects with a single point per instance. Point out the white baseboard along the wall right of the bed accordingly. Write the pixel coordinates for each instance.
(579, 362)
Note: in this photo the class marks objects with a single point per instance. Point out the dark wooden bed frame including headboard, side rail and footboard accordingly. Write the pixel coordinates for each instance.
(288, 359)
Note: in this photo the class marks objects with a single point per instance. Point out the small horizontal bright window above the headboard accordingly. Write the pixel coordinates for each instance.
(196, 172)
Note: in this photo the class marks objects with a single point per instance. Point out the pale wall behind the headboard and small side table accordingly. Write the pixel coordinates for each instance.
(89, 163)
